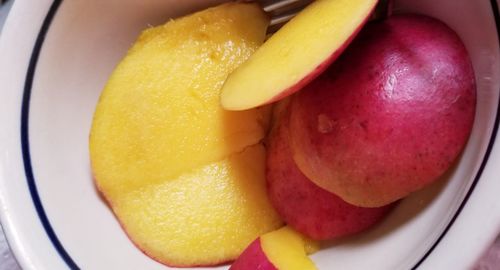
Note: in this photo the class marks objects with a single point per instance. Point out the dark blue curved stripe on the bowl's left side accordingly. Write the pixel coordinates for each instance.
(25, 137)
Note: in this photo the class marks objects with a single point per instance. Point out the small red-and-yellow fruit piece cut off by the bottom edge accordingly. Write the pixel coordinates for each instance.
(283, 249)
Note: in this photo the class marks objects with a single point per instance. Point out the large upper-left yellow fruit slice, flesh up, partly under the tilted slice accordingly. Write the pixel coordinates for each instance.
(159, 113)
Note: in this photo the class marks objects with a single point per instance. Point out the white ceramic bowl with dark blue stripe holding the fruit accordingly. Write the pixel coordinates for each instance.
(55, 57)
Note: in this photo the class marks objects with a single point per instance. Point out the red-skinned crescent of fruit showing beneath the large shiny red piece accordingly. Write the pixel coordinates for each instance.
(303, 205)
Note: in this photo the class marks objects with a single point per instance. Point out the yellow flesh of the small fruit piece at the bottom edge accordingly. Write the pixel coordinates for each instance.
(286, 249)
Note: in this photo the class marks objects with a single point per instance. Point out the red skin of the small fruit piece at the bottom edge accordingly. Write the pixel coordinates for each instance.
(252, 258)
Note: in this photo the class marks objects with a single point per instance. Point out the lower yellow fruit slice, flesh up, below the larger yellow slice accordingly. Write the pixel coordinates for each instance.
(206, 216)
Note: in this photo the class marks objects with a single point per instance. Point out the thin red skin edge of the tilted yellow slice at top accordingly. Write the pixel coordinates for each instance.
(320, 68)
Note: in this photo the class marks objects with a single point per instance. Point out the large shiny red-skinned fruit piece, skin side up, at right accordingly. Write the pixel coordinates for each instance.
(391, 114)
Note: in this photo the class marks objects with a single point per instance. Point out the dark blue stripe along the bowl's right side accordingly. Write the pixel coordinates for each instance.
(496, 15)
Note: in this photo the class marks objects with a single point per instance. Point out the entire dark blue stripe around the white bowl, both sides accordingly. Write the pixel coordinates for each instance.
(31, 179)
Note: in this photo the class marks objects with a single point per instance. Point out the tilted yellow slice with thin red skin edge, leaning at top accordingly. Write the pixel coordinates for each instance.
(296, 54)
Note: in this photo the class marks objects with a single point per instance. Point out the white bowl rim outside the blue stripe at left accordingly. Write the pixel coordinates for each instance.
(19, 218)
